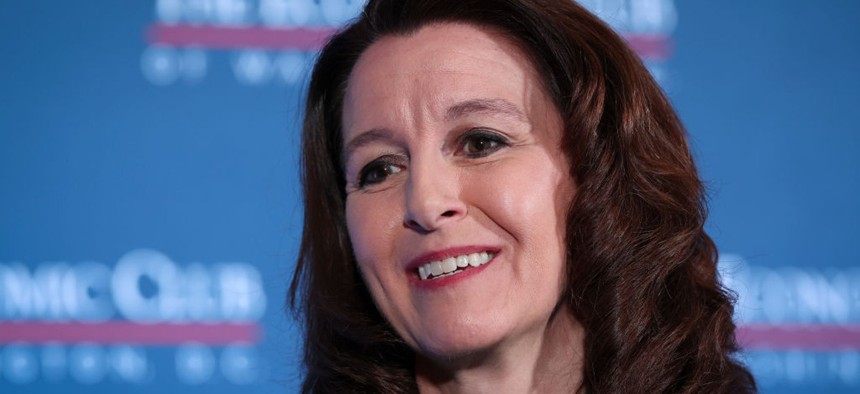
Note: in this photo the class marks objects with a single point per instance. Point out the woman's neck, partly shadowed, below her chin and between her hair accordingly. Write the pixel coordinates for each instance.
(549, 361)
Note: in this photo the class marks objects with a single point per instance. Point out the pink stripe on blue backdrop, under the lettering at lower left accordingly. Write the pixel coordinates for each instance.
(129, 332)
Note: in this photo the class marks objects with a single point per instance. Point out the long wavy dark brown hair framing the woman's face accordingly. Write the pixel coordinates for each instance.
(641, 270)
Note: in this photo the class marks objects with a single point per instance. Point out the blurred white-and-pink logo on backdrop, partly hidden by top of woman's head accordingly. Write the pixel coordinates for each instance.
(274, 41)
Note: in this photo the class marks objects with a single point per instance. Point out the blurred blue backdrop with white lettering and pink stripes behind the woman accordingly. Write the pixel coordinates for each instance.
(150, 211)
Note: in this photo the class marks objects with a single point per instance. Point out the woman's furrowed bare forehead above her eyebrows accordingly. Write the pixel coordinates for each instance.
(439, 64)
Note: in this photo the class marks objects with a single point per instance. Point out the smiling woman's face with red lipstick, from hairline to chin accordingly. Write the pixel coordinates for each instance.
(457, 188)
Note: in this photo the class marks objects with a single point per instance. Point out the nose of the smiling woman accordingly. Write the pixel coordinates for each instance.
(432, 198)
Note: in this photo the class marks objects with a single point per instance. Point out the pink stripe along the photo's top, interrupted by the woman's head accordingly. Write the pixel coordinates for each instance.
(650, 46)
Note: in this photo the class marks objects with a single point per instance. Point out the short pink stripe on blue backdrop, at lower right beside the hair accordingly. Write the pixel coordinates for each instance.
(799, 337)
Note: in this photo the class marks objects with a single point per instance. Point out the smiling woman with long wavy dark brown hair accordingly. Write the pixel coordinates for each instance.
(498, 197)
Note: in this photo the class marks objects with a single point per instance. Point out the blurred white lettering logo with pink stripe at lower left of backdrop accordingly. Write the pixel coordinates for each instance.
(89, 322)
